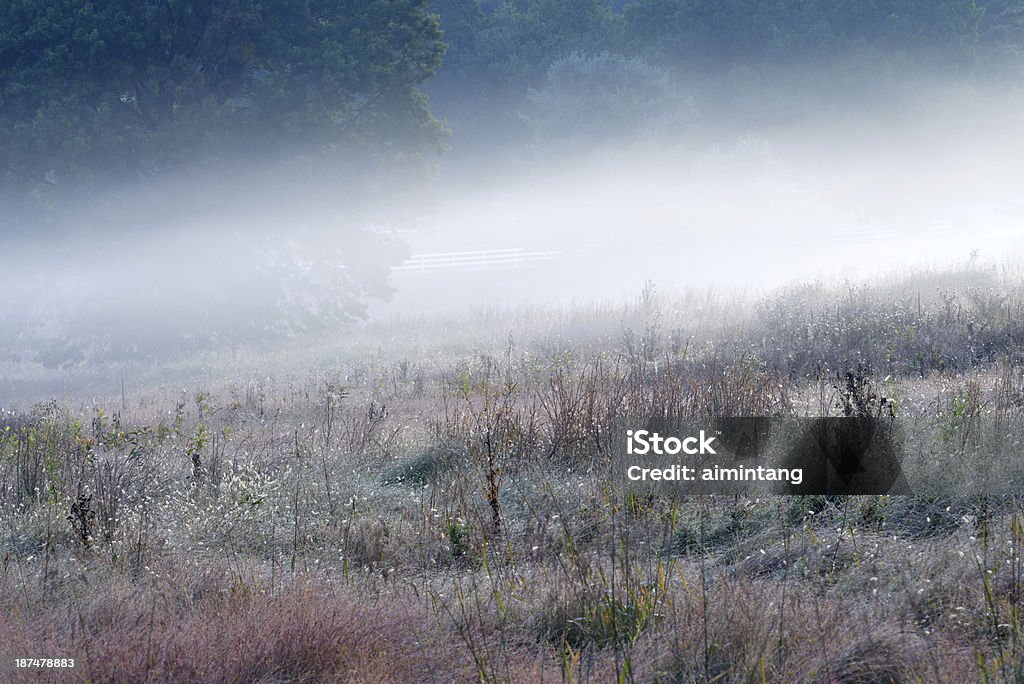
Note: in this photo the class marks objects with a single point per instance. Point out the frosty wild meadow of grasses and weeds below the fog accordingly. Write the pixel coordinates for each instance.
(433, 501)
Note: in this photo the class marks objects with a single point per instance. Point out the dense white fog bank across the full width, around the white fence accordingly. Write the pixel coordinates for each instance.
(182, 263)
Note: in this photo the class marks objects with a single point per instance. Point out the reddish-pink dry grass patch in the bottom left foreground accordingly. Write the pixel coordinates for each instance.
(307, 632)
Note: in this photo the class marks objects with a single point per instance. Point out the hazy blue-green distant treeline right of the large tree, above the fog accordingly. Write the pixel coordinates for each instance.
(734, 56)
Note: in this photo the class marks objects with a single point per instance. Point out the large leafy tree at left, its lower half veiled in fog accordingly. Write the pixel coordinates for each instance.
(122, 117)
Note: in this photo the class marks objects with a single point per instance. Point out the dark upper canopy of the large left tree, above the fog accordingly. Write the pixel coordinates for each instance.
(94, 91)
